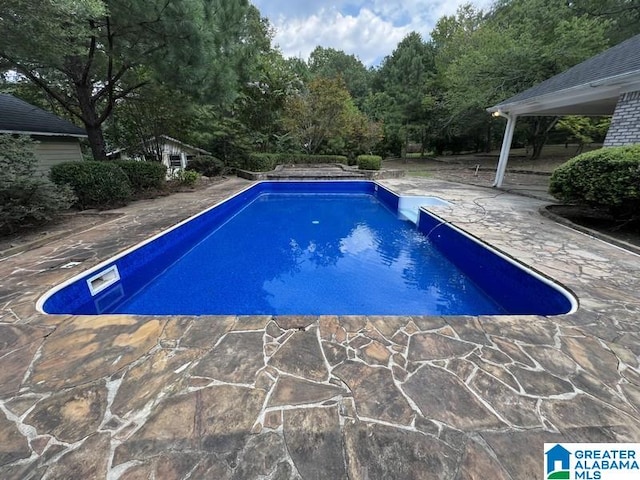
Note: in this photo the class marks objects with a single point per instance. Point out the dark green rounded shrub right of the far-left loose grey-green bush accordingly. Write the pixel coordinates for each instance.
(96, 184)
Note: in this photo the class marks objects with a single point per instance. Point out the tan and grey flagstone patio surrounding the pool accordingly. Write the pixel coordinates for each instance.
(134, 397)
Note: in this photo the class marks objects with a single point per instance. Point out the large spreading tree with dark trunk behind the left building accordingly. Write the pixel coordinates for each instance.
(89, 55)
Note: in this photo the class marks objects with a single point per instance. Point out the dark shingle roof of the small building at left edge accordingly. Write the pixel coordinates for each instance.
(18, 116)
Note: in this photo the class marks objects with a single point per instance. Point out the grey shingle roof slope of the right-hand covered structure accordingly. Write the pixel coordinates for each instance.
(621, 59)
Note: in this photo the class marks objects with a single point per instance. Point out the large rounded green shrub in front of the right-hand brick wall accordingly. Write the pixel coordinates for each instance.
(607, 177)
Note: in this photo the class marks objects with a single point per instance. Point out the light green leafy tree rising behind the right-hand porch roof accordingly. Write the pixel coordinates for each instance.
(519, 44)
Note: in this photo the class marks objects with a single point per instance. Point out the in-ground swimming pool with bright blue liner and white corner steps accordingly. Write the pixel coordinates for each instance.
(311, 248)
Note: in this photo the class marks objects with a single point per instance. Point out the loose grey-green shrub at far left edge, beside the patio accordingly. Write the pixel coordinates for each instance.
(26, 198)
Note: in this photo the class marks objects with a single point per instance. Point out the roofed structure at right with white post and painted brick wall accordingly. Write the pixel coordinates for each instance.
(607, 84)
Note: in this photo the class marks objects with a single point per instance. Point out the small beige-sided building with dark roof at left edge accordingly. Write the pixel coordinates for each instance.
(58, 140)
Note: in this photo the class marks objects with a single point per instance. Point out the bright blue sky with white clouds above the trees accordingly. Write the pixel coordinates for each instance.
(369, 29)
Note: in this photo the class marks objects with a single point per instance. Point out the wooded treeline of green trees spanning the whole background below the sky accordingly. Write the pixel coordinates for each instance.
(207, 72)
